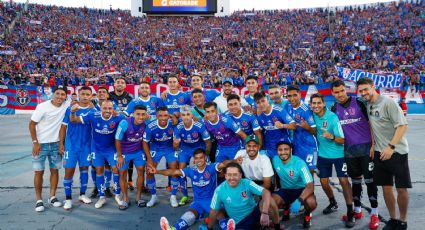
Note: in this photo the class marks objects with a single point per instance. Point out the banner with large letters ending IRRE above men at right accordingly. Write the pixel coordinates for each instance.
(392, 80)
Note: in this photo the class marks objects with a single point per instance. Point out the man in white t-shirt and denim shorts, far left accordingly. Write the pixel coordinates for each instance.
(44, 129)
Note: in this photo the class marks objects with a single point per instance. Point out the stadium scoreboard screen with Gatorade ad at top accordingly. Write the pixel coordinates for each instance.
(180, 6)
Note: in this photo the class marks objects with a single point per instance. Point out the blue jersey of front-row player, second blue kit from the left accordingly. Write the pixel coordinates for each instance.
(103, 131)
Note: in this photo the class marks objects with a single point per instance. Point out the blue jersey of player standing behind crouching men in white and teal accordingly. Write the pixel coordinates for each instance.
(273, 135)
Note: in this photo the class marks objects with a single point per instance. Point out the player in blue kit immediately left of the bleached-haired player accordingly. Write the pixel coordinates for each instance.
(158, 143)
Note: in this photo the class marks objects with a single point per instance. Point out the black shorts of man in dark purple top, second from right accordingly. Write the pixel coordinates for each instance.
(360, 166)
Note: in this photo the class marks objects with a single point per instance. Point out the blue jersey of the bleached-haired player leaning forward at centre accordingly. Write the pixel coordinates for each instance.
(192, 137)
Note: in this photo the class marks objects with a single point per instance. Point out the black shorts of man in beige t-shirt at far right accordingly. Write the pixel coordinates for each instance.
(395, 169)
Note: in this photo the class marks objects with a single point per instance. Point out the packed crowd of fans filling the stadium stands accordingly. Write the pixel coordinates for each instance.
(81, 46)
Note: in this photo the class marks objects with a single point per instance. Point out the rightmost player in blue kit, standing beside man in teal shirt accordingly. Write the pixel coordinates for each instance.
(305, 143)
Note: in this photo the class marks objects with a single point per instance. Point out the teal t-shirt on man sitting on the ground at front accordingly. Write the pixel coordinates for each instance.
(238, 202)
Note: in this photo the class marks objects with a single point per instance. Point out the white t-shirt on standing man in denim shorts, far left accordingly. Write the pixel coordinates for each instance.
(49, 119)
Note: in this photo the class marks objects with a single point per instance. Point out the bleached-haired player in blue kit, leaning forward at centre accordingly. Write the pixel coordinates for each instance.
(189, 135)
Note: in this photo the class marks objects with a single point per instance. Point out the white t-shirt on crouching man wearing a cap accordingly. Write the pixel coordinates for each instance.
(255, 169)
